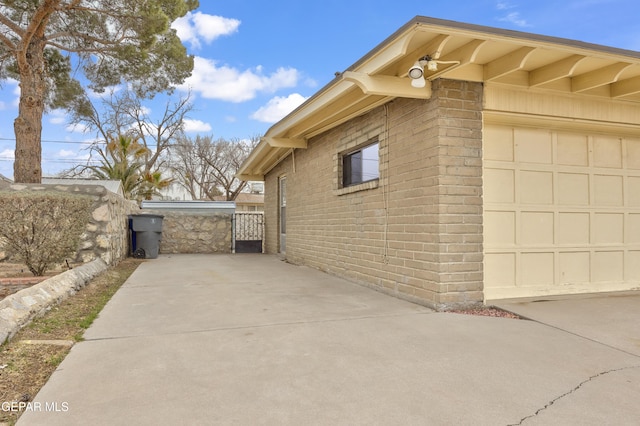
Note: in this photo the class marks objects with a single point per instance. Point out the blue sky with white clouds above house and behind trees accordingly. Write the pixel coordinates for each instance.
(257, 60)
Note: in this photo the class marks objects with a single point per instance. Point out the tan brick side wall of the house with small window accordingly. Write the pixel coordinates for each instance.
(415, 233)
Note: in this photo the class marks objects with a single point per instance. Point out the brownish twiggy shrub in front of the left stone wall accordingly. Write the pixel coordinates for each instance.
(41, 229)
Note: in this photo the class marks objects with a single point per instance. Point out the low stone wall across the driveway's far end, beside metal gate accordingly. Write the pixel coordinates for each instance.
(188, 232)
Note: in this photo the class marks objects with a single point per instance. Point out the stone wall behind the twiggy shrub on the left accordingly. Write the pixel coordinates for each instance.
(105, 236)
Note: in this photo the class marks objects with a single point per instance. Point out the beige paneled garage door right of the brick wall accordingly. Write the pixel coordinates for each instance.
(561, 212)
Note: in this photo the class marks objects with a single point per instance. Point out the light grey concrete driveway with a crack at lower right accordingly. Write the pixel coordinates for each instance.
(249, 339)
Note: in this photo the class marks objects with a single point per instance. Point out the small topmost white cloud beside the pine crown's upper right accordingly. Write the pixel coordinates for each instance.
(196, 27)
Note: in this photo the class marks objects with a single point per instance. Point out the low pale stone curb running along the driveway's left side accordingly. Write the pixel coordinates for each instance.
(18, 309)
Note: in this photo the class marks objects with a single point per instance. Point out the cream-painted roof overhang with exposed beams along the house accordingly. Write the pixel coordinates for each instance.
(465, 52)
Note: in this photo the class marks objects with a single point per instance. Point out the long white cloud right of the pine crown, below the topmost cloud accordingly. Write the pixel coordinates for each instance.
(230, 84)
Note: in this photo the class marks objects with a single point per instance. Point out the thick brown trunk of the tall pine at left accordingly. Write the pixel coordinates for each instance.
(27, 166)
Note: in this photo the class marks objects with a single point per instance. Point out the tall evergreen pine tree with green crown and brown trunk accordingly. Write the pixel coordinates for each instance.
(110, 41)
